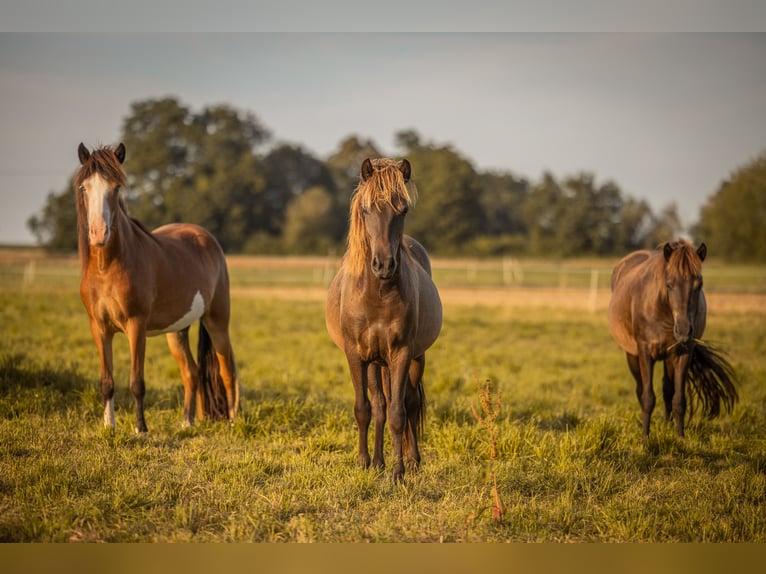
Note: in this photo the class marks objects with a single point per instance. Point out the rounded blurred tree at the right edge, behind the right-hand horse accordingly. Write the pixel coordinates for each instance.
(732, 220)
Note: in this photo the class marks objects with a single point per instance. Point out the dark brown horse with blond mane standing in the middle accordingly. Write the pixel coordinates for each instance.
(384, 312)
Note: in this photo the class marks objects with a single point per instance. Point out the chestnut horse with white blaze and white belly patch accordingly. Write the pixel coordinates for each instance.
(146, 283)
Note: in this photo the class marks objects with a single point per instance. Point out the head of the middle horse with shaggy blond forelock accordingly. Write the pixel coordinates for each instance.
(378, 209)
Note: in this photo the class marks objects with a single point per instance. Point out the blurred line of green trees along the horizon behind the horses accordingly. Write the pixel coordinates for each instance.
(219, 168)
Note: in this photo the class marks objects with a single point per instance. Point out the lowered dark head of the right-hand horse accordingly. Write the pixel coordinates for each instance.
(683, 284)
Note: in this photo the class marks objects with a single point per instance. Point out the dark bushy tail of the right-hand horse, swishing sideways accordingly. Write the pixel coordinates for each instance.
(712, 379)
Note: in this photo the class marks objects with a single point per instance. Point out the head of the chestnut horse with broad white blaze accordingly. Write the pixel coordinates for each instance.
(97, 186)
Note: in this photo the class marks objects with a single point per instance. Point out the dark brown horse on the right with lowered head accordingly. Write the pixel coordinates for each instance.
(658, 313)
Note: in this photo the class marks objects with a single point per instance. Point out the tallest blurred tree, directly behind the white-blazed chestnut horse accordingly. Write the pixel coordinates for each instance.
(195, 167)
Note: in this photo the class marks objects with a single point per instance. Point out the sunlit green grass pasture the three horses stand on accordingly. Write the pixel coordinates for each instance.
(571, 465)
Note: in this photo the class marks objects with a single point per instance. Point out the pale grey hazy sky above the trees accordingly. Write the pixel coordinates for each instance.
(666, 110)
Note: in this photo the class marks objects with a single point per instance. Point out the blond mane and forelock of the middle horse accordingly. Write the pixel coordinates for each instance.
(385, 186)
